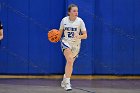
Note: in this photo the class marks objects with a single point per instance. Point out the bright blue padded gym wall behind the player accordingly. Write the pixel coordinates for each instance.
(112, 46)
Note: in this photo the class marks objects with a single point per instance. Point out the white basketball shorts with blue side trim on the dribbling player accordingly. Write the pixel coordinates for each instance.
(73, 45)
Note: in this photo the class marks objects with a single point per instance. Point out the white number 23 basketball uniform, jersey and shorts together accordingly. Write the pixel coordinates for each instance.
(71, 28)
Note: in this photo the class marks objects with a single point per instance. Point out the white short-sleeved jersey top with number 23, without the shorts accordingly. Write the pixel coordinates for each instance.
(72, 28)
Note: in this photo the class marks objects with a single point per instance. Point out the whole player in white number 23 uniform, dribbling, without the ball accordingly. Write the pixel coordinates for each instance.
(70, 43)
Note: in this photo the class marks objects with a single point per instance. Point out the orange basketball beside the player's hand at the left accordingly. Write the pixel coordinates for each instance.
(54, 35)
